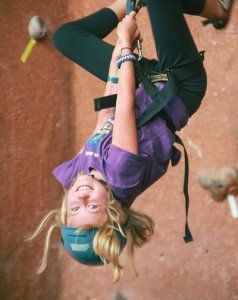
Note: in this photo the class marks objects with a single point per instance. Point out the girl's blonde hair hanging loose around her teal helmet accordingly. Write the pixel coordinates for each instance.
(136, 227)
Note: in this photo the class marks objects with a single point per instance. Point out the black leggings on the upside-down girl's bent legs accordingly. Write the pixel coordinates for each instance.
(82, 42)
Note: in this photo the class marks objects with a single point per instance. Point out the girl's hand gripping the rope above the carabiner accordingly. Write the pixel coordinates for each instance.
(128, 31)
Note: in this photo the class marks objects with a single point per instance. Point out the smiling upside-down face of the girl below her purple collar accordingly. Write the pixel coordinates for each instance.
(86, 202)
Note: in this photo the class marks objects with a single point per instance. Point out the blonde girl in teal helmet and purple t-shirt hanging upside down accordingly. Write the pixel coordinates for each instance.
(122, 159)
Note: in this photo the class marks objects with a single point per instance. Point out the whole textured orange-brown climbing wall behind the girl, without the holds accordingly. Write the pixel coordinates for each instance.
(46, 116)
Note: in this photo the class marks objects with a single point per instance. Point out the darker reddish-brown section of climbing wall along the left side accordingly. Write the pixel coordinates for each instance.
(35, 136)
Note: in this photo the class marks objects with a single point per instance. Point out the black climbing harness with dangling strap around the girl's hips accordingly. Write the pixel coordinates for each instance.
(160, 98)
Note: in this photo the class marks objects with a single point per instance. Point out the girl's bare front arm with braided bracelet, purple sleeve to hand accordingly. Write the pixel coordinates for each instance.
(124, 130)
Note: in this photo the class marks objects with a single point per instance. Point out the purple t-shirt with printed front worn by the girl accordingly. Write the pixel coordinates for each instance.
(129, 174)
